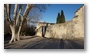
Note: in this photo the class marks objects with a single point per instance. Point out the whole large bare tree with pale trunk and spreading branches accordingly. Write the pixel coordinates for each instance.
(21, 14)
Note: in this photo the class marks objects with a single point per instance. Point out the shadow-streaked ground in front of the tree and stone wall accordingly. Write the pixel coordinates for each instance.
(44, 43)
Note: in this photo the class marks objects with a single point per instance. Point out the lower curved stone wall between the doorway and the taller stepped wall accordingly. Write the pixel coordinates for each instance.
(63, 30)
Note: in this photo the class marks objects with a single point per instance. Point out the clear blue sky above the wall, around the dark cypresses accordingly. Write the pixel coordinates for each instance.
(50, 15)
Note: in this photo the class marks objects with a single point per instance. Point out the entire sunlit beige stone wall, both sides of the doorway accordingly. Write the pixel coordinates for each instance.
(70, 29)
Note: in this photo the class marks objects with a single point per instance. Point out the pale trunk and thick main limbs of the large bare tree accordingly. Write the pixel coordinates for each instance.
(15, 27)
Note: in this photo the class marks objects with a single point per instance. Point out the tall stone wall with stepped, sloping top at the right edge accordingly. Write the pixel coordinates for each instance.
(79, 23)
